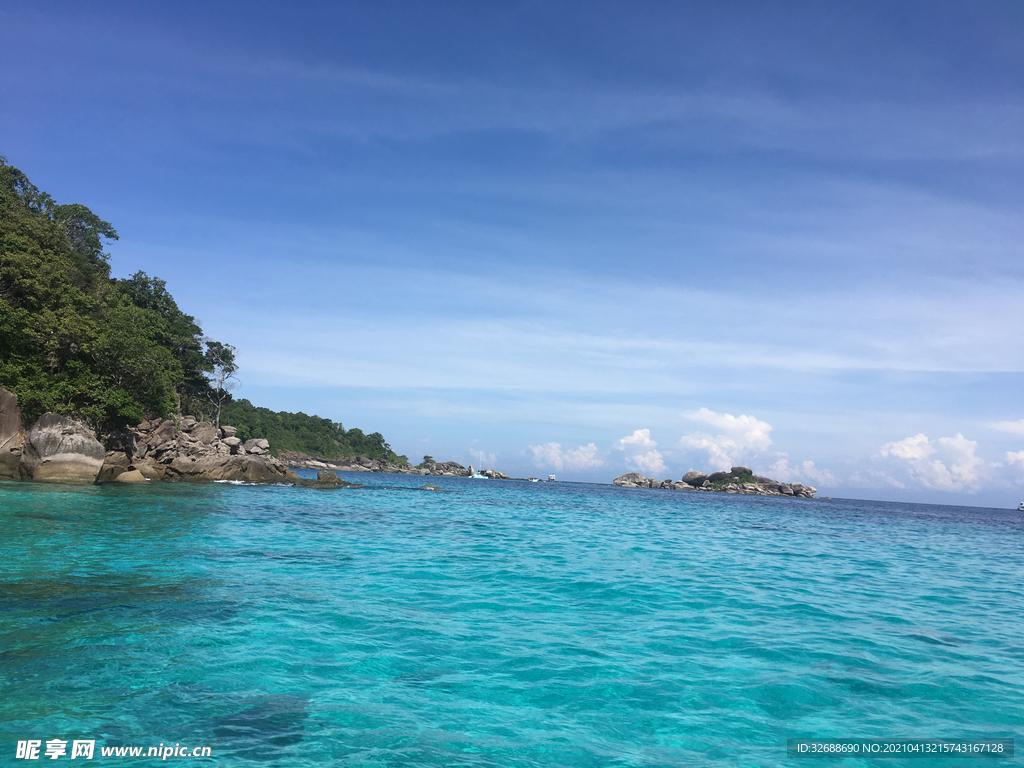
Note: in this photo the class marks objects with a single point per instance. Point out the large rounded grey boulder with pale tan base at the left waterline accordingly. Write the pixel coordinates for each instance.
(61, 450)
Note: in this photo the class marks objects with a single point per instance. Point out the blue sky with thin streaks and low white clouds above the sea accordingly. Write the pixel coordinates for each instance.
(574, 238)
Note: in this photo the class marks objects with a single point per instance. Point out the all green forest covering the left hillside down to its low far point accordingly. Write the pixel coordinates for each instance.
(113, 353)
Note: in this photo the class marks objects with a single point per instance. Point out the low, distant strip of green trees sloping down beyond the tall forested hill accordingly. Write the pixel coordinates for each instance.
(307, 435)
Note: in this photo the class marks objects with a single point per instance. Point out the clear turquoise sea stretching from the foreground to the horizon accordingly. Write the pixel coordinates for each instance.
(502, 624)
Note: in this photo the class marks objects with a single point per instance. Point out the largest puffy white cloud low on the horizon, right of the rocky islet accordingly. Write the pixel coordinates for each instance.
(944, 464)
